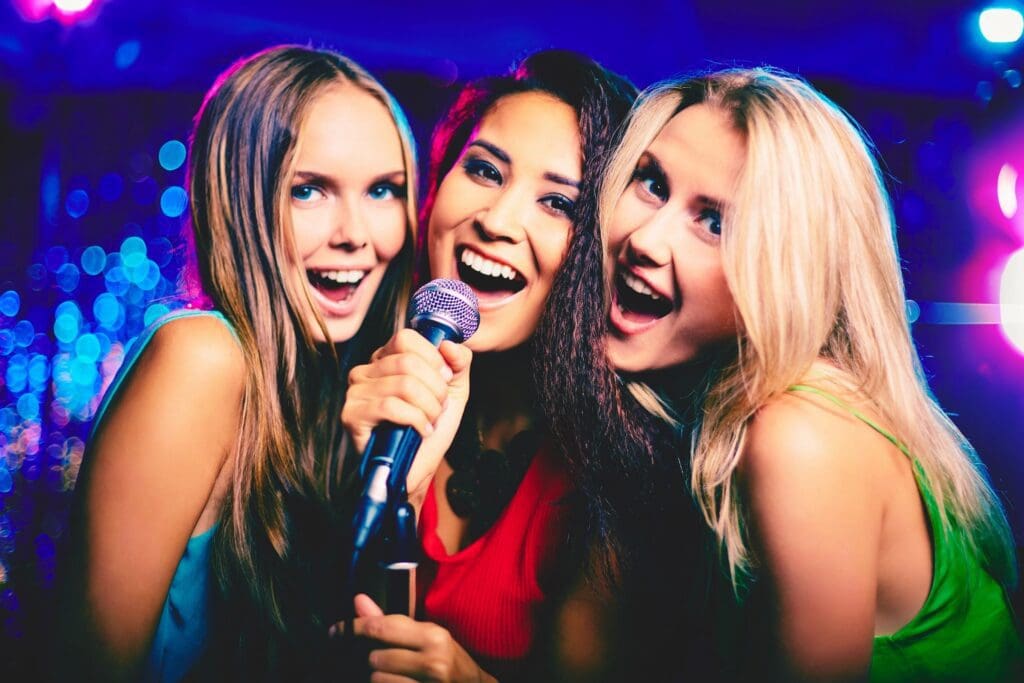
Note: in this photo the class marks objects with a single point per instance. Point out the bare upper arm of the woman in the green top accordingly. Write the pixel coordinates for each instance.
(816, 518)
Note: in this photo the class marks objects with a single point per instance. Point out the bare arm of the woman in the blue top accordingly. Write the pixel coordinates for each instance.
(150, 472)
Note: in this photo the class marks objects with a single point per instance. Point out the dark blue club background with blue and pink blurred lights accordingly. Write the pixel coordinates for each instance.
(91, 206)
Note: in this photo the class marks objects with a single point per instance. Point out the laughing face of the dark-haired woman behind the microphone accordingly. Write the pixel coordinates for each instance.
(503, 216)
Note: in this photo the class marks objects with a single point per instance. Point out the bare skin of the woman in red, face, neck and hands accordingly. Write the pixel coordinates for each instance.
(509, 200)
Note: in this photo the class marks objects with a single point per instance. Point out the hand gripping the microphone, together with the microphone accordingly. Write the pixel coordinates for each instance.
(411, 391)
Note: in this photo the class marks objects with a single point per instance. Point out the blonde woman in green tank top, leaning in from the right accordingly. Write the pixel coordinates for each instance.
(752, 251)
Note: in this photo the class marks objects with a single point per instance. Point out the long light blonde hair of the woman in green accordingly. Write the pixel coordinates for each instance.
(810, 258)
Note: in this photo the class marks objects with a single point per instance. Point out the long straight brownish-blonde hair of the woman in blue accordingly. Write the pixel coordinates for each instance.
(287, 453)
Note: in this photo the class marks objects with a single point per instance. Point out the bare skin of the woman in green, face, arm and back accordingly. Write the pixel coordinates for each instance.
(836, 521)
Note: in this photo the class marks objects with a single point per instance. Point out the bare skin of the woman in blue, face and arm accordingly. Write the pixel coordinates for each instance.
(158, 468)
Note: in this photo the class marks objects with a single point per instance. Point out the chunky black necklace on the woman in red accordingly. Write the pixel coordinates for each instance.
(484, 482)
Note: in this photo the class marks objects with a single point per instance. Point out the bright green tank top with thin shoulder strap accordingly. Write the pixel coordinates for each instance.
(965, 630)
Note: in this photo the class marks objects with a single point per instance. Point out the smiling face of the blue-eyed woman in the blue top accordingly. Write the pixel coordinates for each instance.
(348, 205)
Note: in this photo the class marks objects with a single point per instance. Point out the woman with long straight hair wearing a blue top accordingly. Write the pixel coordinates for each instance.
(209, 489)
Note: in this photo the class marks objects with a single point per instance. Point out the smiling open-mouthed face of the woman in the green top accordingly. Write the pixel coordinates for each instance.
(670, 297)
